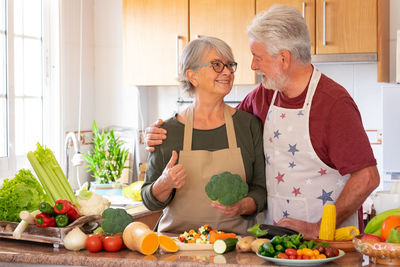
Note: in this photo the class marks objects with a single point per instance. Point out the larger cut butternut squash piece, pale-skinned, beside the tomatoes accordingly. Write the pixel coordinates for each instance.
(138, 236)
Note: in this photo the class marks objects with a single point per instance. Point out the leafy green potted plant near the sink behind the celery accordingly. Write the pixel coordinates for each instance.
(107, 158)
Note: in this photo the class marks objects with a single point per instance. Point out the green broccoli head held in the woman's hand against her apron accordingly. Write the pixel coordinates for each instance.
(226, 188)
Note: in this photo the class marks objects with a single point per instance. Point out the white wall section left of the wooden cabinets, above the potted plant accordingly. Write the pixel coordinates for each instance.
(115, 104)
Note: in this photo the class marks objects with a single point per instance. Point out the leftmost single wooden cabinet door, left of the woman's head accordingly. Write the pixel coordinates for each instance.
(154, 33)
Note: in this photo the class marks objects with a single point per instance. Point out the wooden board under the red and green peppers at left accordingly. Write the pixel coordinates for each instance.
(51, 235)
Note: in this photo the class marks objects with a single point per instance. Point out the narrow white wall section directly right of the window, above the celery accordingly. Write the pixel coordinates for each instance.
(69, 64)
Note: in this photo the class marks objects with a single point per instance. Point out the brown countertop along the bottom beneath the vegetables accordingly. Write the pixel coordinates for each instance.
(17, 251)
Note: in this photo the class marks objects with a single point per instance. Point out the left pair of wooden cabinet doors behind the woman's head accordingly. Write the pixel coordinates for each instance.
(155, 31)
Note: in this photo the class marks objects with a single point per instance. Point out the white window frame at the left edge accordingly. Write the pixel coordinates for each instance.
(51, 104)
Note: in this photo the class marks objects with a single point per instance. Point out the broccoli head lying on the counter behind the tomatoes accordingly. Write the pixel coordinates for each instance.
(115, 220)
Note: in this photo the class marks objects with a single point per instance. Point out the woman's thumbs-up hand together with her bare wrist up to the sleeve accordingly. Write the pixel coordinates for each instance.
(173, 176)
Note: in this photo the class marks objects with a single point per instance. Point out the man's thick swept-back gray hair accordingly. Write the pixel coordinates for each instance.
(282, 27)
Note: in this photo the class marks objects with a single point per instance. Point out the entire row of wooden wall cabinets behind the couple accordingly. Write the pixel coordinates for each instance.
(155, 32)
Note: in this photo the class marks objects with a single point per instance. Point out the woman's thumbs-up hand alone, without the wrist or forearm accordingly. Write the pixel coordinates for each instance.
(174, 174)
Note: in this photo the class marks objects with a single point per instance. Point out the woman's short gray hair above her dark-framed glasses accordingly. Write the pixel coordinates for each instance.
(193, 54)
